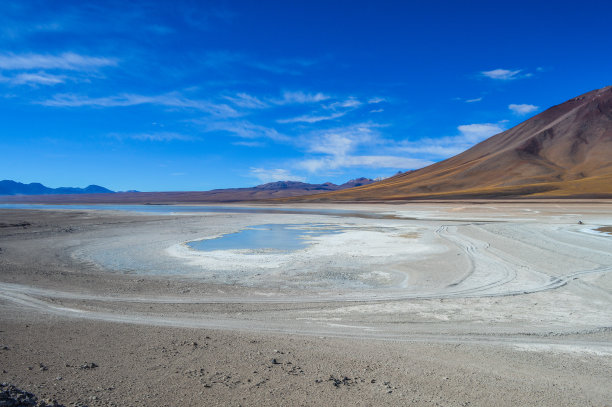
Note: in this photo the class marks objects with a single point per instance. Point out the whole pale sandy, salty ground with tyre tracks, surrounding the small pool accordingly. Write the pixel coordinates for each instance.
(420, 304)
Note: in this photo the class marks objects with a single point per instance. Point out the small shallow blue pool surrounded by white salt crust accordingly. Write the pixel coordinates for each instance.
(273, 237)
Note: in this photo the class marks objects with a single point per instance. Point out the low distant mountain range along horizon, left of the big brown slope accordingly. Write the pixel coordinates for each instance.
(38, 193)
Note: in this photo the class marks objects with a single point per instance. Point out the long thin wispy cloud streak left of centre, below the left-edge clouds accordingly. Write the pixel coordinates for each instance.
(169, 100)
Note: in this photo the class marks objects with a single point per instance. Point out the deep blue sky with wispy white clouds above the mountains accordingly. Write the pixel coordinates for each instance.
(196, 95)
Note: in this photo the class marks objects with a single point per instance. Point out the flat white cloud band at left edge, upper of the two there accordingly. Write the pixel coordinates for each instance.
(65, 61)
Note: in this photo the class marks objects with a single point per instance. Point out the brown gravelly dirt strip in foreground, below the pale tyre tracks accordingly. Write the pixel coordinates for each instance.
(143, 366)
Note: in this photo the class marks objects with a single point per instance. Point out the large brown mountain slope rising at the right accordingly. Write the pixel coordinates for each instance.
(565, 151)
